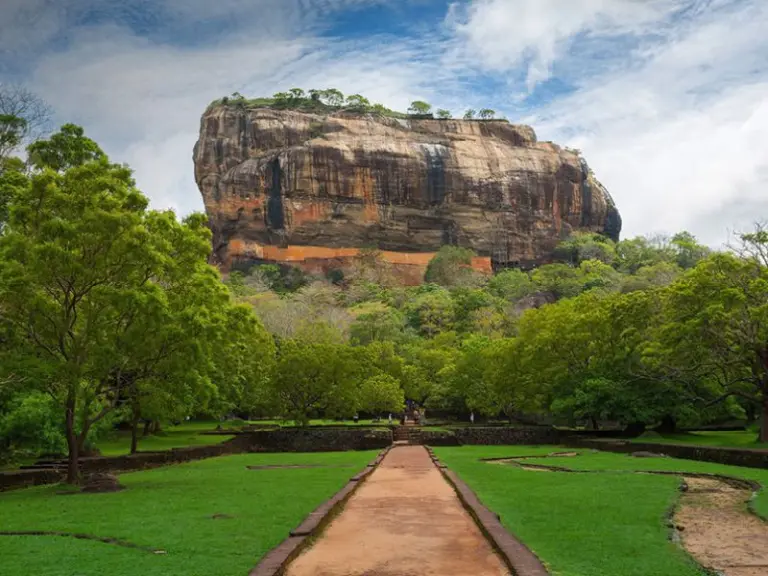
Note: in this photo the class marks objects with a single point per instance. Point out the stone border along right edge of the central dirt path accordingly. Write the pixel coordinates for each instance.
(518, 557)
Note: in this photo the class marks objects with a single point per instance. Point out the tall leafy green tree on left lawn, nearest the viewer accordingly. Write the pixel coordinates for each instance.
(76, 256)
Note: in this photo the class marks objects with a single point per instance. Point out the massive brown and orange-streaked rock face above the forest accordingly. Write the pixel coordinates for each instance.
(312, 191)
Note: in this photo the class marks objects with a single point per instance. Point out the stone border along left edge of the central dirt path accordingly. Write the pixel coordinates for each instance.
(276, 560)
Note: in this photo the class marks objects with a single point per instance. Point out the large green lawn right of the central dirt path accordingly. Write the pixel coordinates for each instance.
(607, 524)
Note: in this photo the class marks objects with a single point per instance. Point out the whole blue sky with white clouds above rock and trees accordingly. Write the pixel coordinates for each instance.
(667, 99)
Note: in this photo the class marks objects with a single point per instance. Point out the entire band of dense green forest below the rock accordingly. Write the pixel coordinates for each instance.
(110, 315)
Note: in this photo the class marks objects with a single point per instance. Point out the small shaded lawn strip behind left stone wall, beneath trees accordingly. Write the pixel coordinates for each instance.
(185, 434)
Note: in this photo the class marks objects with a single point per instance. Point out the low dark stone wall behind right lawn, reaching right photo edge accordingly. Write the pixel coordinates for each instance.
(730, 456)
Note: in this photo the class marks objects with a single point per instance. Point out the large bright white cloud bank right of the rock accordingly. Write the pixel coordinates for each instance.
(684, 137)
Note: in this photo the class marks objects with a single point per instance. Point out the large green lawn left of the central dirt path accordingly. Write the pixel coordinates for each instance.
(170, 508)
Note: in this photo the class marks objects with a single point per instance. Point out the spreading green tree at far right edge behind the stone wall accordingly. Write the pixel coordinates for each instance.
(714, 333)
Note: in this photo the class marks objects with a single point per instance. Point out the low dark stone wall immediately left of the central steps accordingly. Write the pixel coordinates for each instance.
(314, 440)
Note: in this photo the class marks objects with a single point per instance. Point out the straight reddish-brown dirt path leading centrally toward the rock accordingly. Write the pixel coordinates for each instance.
(404, 521)
